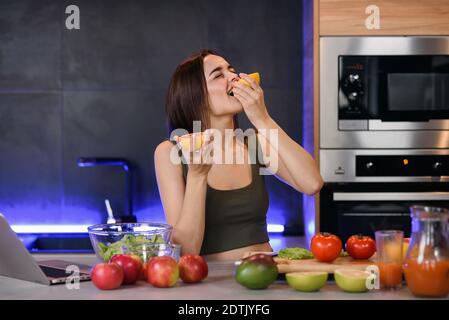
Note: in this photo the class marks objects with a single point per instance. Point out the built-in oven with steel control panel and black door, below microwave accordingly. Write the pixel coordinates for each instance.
(368, 190)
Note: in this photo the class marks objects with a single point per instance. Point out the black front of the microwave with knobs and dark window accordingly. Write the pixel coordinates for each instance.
(411, 88)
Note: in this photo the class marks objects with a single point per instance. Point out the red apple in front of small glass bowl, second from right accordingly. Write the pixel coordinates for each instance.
(162, 272)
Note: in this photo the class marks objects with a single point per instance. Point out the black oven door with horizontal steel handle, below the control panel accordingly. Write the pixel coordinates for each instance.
(353, 208)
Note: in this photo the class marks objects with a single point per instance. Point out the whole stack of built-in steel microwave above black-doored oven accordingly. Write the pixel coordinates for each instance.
(384, 130)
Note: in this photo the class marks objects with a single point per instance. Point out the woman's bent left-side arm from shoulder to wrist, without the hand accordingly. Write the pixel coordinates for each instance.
(184, 204)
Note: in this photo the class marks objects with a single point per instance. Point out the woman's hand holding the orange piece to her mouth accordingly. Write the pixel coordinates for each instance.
(252, 99)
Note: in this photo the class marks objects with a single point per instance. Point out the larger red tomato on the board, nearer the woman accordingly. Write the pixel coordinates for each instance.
(326, 247)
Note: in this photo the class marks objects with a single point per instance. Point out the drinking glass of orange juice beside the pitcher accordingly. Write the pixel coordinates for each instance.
(389, 258)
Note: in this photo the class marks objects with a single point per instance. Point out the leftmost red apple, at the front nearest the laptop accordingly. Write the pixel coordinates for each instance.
(107, 276)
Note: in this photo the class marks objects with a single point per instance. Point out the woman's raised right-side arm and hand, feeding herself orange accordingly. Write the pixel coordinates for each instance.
(295, 166)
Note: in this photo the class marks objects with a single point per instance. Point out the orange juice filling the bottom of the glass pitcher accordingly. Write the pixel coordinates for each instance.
(429, 278)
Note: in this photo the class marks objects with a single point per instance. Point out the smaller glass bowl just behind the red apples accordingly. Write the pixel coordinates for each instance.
(148, 251)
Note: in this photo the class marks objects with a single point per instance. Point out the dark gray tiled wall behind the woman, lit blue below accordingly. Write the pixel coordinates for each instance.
(99, 91)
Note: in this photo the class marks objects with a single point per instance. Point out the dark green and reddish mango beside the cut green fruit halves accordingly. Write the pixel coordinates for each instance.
(257, 271)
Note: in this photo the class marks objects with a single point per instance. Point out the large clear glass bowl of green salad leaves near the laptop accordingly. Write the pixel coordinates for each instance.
(110, 239)
